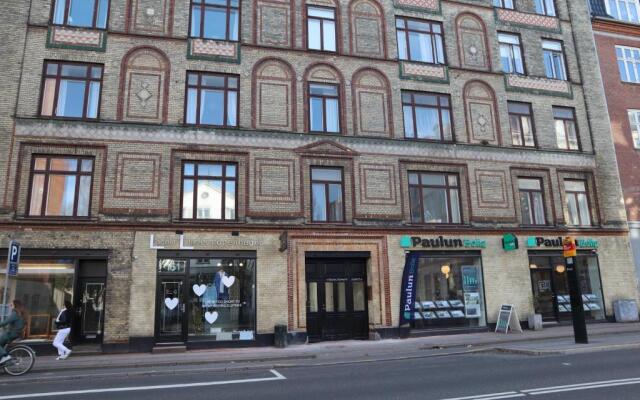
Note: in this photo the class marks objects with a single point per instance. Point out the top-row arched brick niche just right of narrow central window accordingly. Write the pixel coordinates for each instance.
(367, 36)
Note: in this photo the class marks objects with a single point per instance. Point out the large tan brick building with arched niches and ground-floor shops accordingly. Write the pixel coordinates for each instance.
(196, 172)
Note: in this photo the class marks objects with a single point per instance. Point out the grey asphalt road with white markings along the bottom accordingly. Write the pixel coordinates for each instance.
(613, 375)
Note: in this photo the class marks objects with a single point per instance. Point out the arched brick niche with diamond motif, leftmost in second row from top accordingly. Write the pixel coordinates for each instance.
(144, 86)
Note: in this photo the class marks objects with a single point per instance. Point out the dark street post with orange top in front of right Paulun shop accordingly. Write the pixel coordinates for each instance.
(569, 251)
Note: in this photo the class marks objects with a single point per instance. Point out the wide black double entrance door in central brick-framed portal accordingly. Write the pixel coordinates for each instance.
(336, 299)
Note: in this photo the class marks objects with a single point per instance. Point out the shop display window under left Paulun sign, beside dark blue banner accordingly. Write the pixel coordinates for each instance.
(449, 292)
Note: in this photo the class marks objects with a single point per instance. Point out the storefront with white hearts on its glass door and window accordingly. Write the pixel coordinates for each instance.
(205, 296)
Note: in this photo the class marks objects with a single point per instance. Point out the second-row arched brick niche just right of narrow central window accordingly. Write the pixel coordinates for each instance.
(371, 104)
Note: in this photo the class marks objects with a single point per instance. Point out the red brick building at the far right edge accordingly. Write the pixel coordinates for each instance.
(616, 27)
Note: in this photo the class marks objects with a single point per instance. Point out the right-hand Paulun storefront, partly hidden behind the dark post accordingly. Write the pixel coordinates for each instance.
(549, 279)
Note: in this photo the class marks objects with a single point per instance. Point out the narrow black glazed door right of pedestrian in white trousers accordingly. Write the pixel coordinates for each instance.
(89, 301)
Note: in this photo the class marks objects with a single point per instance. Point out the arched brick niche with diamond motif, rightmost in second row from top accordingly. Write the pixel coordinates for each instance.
(481, 113)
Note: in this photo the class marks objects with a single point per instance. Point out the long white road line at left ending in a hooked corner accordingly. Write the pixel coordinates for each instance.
(277, 377)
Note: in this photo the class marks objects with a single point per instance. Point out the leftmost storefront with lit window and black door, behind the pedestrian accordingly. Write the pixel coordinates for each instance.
(46, 279)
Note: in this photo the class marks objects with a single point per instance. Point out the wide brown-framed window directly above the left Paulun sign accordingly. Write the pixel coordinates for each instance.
(434, 198)
